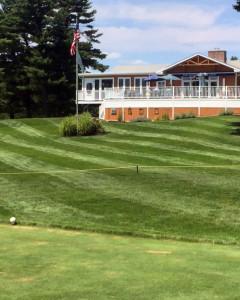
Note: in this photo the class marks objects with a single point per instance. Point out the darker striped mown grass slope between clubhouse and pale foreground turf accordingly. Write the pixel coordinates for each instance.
(181, 203)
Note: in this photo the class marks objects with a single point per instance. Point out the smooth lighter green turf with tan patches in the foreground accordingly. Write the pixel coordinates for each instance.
(53, 264)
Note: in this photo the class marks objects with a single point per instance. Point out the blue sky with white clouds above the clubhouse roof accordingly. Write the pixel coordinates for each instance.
(165, 31)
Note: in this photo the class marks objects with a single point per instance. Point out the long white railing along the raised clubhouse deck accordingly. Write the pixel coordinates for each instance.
(181, 92)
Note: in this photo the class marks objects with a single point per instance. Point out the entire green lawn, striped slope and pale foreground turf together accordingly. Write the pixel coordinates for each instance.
(173, 227)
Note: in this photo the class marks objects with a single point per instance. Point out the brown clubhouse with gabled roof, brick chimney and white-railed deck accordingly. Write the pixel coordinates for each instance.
(203, 84)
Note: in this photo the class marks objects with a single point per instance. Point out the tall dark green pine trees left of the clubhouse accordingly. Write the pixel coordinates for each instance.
(37, 73)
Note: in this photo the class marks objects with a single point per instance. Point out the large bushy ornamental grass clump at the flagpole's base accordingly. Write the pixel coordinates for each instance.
(86, 125)
